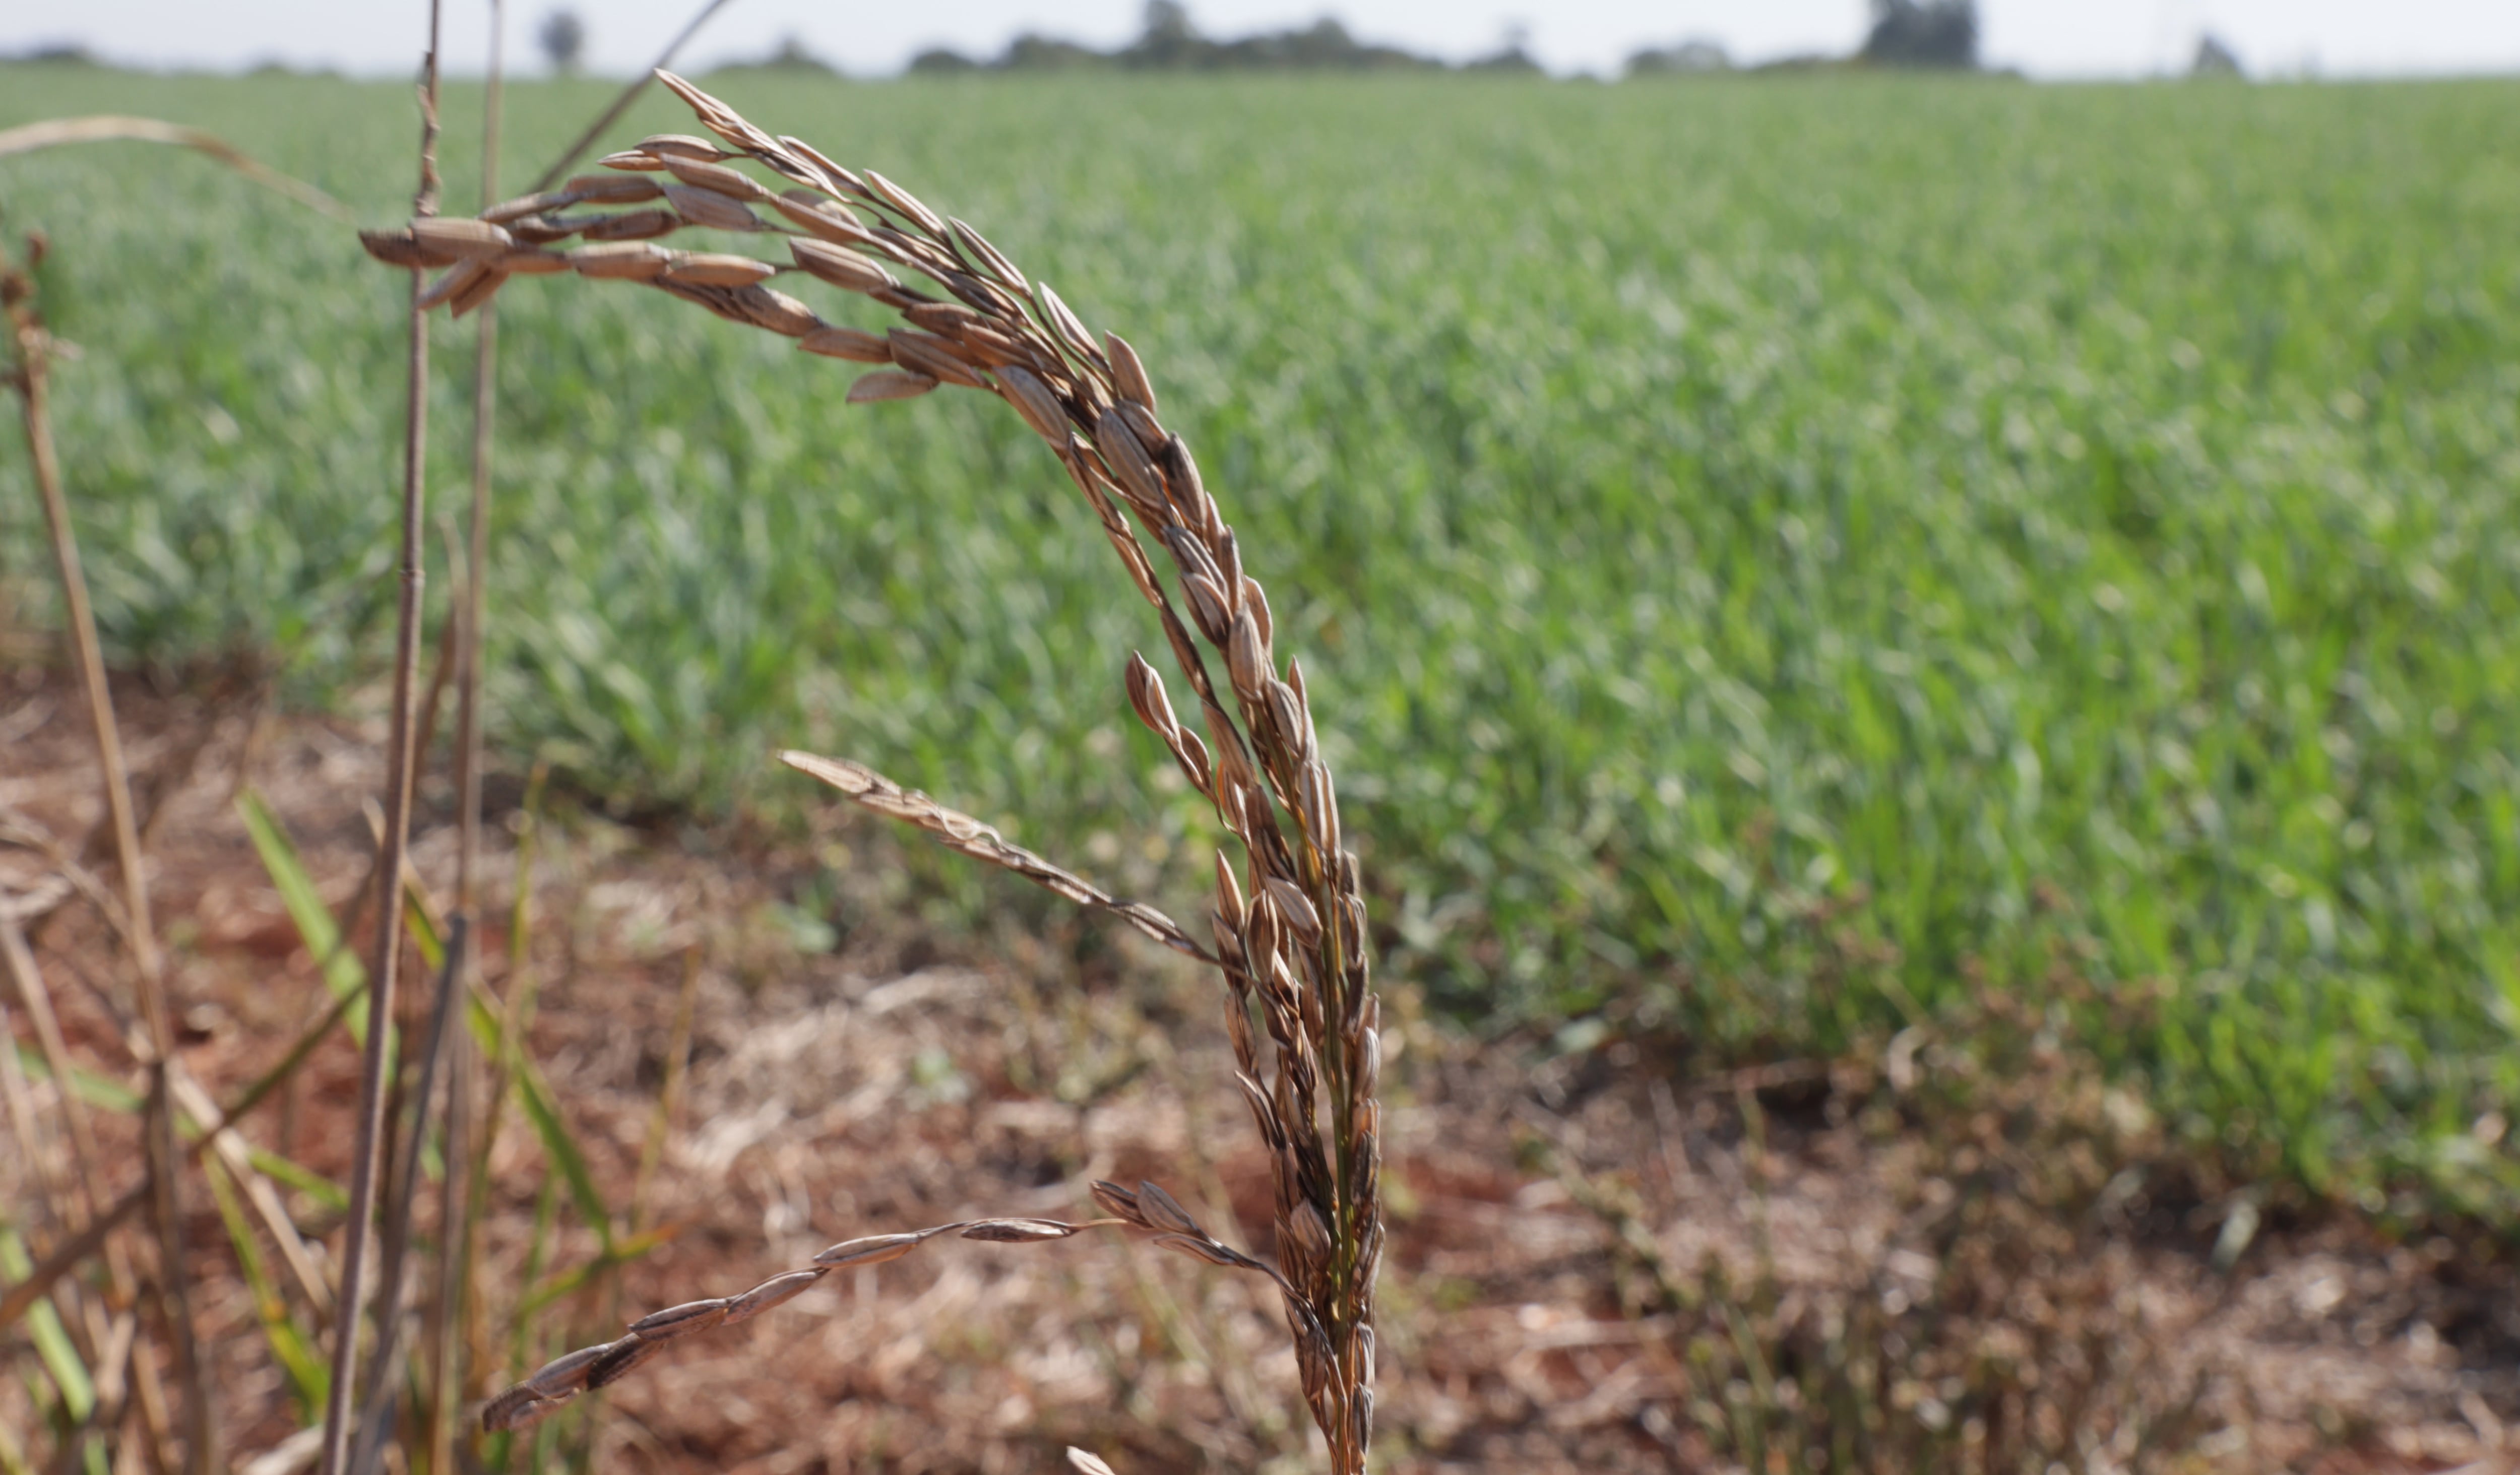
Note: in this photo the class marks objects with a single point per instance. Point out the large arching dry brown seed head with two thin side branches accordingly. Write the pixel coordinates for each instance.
(1289, 922)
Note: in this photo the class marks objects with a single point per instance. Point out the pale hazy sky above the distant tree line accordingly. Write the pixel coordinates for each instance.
(2055, 39)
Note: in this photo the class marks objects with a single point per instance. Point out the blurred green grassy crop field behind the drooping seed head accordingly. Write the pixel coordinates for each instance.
(1773, 553)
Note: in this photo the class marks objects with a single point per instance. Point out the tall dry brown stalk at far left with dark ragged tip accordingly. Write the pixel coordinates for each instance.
(31, 379)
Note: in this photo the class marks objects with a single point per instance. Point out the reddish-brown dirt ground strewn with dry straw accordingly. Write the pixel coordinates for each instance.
(1604, 1262)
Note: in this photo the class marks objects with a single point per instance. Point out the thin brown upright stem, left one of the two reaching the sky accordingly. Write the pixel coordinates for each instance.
(389, 934)
